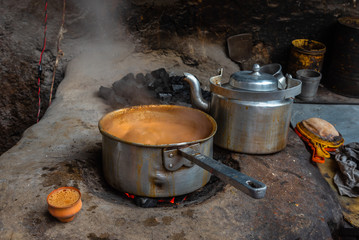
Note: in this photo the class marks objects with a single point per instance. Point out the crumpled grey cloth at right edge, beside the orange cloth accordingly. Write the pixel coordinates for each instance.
(347, 179)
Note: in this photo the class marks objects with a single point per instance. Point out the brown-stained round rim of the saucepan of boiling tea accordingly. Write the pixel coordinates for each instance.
(211, 119)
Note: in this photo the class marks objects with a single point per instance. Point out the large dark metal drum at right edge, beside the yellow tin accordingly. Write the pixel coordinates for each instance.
(343, 72)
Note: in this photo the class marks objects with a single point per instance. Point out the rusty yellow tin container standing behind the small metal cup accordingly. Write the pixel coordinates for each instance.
(306, 54)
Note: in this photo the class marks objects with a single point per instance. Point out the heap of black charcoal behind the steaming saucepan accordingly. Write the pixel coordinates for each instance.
(156, 87)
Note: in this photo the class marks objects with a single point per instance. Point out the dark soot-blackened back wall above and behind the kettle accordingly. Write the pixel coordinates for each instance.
(273, 23)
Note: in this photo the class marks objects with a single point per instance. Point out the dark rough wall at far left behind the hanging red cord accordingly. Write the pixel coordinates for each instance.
(21, 42)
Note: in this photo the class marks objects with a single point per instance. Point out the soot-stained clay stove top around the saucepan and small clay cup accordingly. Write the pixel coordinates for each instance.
(64, 149)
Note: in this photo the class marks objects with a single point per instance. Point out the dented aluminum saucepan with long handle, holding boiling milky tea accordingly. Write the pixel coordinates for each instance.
(165, 169)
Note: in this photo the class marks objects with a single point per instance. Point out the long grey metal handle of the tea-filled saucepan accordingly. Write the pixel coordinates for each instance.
(246, 184)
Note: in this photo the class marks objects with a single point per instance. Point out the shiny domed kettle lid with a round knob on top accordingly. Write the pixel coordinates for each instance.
(254, 80)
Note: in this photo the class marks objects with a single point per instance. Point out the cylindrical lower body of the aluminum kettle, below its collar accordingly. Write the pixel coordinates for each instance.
(251, 127)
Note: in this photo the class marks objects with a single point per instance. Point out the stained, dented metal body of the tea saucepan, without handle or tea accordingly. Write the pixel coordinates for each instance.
(139, 169)
